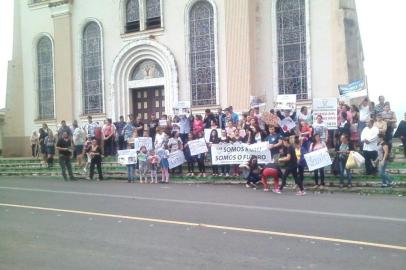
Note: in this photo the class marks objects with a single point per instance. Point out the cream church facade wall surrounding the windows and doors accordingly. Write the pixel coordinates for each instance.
(245, 48)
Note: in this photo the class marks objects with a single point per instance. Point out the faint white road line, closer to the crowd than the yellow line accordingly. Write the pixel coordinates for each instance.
(230, 205)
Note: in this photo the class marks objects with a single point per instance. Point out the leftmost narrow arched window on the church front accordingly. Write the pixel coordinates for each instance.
(45, 78)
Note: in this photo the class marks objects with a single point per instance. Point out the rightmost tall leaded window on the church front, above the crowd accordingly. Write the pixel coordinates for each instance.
(292, 60)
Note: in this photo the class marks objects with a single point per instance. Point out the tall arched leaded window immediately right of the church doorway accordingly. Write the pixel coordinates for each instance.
(202, 54)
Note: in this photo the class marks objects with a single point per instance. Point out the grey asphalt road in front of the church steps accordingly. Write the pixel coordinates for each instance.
(46, 223)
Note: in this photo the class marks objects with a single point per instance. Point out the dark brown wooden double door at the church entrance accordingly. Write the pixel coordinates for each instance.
(148, 101)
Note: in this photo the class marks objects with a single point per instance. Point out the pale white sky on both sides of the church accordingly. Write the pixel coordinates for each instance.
(382, 26)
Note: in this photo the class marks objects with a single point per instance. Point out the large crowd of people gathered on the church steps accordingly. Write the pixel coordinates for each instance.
(367, 128)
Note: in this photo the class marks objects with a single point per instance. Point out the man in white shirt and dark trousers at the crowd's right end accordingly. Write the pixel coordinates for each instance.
(369, 138)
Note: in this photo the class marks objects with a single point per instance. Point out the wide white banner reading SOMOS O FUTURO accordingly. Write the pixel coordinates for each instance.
(237, 153)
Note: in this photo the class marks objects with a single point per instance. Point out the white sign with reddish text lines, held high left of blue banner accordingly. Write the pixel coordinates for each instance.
(327, 108)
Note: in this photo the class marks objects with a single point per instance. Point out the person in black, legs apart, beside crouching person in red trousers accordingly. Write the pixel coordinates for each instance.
(290, 160)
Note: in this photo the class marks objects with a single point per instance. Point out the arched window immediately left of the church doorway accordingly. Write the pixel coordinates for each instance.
(92, 69)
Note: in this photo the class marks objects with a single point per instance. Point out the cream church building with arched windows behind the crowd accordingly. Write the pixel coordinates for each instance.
(107, 58)
